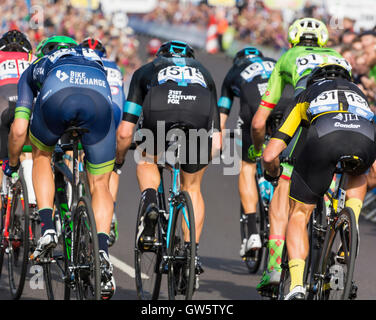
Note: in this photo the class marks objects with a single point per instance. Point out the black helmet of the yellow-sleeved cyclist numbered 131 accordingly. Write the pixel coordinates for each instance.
(328, 71)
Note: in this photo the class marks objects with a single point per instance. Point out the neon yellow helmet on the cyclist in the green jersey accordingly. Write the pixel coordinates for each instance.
(308, 29)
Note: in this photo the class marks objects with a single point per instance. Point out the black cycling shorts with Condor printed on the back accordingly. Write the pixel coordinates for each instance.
(330, 137)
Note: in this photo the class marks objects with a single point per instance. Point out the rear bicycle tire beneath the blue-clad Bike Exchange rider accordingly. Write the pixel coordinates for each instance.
(86, 255)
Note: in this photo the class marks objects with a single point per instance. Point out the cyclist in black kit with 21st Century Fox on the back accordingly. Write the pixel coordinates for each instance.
(172, 88)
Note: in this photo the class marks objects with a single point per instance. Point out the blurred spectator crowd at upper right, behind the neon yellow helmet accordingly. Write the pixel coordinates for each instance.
(257, 24)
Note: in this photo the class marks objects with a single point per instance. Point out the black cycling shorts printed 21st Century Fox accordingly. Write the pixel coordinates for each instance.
(165, 106)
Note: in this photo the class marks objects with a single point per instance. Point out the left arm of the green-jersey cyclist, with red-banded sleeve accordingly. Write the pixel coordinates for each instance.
(269, 100)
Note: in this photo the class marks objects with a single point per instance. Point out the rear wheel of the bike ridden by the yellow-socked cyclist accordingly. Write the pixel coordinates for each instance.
(337, 262)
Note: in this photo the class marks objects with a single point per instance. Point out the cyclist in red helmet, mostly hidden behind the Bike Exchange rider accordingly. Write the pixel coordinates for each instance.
(115, 80)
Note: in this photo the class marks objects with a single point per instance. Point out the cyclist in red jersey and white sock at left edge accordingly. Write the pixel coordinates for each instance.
(15, 57)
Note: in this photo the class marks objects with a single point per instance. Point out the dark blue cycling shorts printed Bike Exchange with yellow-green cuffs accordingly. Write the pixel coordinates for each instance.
(77, 101)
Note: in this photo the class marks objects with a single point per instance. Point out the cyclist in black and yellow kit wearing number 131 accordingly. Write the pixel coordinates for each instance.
(340, 123)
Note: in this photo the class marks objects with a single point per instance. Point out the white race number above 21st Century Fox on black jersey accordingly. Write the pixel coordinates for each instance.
(183, 75)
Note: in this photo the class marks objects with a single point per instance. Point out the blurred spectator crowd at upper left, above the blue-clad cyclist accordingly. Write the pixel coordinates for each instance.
(58, 17)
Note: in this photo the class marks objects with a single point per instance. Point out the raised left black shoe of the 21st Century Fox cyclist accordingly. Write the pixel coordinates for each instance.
(146, 230)
